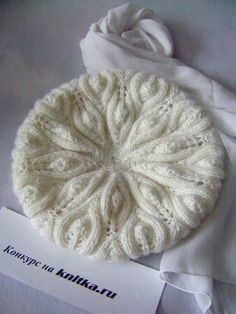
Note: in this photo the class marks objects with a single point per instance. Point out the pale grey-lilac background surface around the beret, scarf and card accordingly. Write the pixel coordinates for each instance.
(39, 50)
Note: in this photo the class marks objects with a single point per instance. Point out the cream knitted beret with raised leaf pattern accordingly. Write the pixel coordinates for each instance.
(117, 165)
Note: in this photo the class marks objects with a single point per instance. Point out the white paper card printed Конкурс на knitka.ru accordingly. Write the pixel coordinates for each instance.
(96, 286)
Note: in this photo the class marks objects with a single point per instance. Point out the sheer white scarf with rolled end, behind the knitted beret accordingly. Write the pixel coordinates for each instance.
(133, 38)
